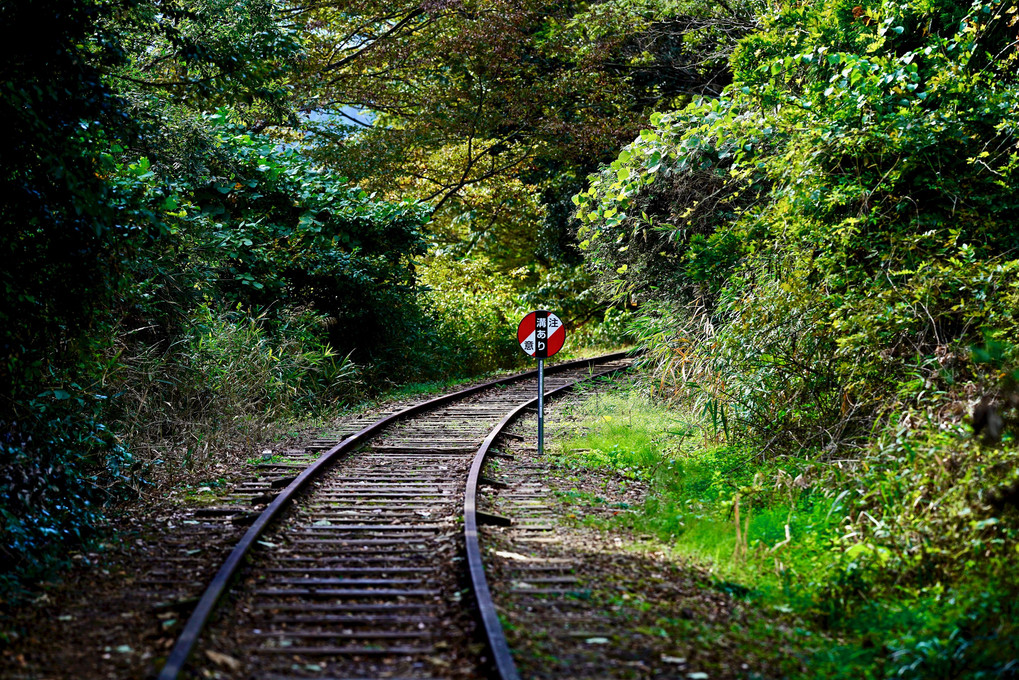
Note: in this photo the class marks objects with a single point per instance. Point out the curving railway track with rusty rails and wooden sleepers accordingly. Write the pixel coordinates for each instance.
(365, 562)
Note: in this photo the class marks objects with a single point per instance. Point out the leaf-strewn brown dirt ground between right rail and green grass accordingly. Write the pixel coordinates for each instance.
(582, 602)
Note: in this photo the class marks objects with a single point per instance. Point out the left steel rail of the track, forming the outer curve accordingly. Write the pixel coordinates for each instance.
(185, 645)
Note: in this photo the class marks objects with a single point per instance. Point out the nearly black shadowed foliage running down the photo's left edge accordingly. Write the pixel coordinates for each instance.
(62, 240)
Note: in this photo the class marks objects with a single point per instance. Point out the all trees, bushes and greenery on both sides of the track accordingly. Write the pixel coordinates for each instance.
(223, 215)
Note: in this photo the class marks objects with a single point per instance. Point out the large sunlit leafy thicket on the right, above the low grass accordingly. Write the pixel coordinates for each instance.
(833, 233)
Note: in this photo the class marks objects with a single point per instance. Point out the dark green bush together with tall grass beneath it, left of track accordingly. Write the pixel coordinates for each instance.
(271, 279)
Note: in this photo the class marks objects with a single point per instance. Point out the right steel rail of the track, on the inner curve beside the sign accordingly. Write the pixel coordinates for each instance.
(498, 646)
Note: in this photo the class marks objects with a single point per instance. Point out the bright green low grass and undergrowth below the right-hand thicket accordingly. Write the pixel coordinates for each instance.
(902, 557)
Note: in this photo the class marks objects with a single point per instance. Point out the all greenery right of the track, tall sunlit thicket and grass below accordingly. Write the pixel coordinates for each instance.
(826, 261)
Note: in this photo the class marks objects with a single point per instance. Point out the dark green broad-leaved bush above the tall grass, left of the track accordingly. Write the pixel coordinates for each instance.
(265, 228)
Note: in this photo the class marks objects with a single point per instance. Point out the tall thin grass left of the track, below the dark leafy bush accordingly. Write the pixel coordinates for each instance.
(227, 381)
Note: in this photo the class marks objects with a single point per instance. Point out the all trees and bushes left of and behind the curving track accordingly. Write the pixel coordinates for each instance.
(196, 246)
